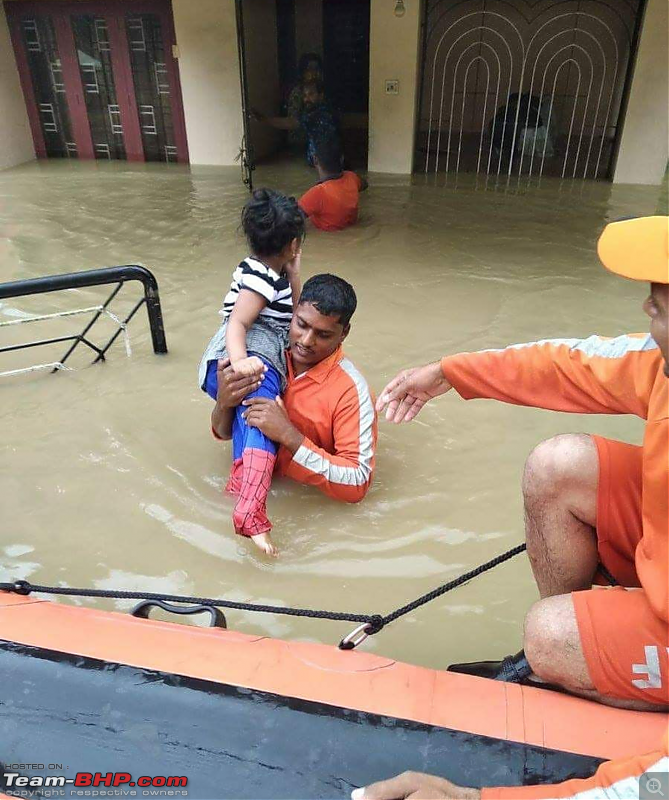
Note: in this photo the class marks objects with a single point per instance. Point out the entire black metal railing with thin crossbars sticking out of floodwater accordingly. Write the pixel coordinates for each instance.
(78, 280)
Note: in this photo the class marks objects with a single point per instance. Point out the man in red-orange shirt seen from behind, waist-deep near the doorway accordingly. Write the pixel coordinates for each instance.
(332, 204)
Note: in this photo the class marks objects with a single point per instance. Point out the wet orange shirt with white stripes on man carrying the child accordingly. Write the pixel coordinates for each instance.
(332, 406)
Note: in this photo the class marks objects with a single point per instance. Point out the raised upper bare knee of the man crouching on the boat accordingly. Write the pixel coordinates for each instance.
(568, 462)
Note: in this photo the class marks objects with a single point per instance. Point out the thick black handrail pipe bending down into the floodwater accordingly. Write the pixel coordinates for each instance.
(100, 277)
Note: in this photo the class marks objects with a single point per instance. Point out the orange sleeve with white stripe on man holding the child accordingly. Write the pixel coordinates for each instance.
(346, 474)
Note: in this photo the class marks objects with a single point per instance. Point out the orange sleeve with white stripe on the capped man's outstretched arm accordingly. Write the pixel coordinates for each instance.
(594, 375)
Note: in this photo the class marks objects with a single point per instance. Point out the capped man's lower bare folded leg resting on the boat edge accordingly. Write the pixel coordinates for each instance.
(553, 649)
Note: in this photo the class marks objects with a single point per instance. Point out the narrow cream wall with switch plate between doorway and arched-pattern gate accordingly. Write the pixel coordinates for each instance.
(393, 56)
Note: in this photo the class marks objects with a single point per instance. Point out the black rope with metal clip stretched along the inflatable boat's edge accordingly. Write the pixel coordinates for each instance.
(368, 624)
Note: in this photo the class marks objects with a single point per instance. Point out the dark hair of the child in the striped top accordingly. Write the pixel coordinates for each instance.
(270, 221)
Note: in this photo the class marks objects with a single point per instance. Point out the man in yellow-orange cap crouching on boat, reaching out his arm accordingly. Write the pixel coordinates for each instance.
(590, 502)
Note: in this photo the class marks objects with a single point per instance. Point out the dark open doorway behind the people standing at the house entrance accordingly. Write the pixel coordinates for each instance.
(337, 32)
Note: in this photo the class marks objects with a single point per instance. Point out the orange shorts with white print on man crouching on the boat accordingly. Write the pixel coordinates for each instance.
(624, 642)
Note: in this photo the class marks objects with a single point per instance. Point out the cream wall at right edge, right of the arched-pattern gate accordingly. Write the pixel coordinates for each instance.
(644, 146)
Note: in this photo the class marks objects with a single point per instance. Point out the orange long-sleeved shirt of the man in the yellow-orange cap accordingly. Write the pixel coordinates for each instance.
(624, 375)
